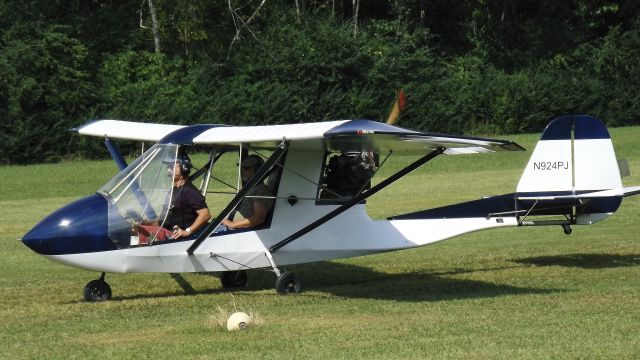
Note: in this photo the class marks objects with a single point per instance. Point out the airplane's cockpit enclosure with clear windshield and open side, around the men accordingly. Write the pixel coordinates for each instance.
(143, 192)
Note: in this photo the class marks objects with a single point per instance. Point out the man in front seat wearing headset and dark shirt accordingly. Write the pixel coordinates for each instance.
(185, 213)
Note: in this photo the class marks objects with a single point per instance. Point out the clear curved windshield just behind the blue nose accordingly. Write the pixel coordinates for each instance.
(140, 192)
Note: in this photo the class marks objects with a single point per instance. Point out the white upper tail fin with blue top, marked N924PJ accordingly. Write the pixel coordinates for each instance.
(574, 155)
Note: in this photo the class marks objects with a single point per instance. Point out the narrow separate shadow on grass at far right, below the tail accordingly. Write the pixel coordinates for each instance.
(585, 261)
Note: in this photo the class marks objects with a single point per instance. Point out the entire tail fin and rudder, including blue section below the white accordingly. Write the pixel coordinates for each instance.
(573, 166)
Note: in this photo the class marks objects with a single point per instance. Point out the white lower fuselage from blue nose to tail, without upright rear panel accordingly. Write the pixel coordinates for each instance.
(339, 238)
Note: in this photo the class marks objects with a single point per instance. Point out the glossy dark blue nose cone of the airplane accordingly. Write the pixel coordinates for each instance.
(79, 227)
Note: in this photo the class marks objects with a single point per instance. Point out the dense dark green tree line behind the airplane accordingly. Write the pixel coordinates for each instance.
(488, 67)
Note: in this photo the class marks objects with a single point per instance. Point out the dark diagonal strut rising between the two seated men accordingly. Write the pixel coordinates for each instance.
(259, 176)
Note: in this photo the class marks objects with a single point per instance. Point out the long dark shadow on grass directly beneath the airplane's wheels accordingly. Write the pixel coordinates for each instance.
(351, 281)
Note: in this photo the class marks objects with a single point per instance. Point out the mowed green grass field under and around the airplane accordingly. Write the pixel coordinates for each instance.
(521, 292)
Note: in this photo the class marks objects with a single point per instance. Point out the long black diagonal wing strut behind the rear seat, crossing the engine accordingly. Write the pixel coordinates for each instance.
(357, 199)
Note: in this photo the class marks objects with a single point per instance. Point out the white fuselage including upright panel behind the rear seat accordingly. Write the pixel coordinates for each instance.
(352, 233)
